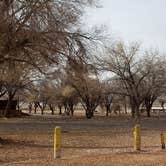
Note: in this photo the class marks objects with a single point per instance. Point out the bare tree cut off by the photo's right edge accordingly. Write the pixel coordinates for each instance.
(154, 83)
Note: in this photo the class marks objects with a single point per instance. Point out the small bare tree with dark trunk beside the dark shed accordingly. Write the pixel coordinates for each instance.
(19, 78)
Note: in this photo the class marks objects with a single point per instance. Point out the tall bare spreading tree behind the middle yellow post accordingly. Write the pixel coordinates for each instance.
(123, 61)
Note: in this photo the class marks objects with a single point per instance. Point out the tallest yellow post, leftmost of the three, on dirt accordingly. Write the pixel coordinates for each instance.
(57, 143)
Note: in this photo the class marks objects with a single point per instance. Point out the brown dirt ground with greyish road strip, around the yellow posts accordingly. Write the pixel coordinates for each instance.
(100, 141)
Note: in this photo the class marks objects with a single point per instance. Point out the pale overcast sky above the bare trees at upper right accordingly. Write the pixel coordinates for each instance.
(133, 20)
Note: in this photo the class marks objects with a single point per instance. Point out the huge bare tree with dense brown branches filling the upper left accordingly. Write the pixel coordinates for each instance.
(39, 33)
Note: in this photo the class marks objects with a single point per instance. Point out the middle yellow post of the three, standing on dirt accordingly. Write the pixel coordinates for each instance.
(137, 138)
